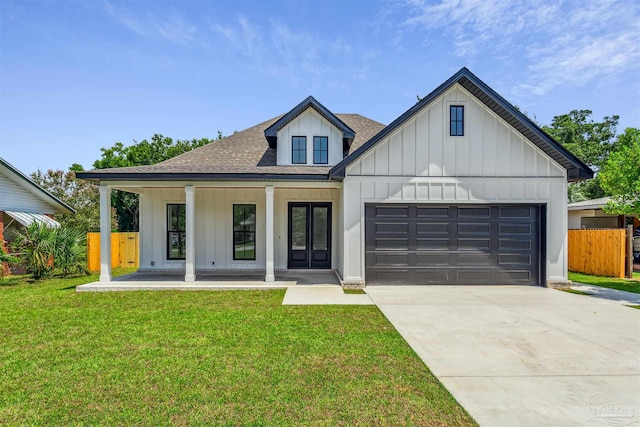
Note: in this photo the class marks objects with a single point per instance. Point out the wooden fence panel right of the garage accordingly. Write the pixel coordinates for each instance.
(599, 252)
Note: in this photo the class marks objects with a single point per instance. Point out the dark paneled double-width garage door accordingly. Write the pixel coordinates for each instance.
(464, 245)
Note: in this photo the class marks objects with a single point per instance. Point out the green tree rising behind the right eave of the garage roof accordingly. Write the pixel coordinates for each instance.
(590, 141)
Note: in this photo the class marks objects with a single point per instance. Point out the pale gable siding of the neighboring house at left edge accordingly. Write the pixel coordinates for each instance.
(15, 196)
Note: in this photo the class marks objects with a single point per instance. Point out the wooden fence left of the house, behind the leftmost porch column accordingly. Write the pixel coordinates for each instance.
(125, 251)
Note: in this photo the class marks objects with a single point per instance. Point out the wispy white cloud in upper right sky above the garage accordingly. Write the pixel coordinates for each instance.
(556, 42)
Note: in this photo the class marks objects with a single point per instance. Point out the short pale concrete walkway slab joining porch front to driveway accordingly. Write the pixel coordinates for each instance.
(323, 295)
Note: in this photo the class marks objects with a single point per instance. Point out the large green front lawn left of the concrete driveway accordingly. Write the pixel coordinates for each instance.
(205, 358)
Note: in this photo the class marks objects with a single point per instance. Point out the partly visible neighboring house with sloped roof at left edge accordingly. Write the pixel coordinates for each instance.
(22, 202)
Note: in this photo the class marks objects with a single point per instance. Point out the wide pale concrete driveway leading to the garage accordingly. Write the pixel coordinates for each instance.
(524, 356)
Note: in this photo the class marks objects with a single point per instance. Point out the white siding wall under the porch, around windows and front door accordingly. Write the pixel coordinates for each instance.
(214, 225)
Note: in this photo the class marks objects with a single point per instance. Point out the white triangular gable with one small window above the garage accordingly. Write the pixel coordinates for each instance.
(422, 146)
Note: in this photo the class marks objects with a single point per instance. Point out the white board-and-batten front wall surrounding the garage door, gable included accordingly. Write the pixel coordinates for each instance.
(420, 163)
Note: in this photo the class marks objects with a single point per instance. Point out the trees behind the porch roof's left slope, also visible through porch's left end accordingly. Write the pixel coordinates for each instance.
(145, 152)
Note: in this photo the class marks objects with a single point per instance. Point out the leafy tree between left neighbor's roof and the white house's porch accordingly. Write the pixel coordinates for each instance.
(82, 195)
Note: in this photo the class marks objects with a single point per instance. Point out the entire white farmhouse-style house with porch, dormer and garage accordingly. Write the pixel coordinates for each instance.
(460, 189)
